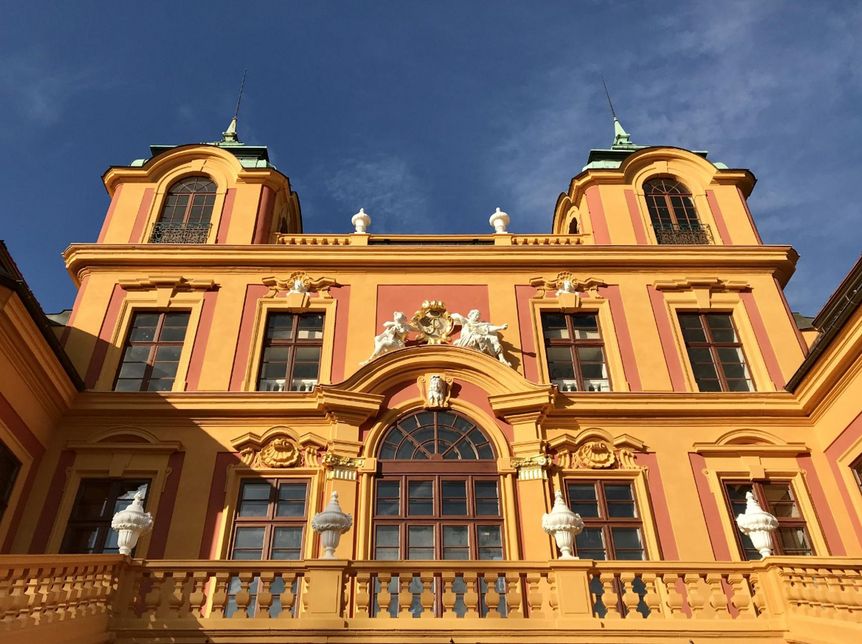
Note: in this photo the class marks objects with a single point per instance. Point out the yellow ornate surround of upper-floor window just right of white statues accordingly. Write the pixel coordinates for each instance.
(586, 301)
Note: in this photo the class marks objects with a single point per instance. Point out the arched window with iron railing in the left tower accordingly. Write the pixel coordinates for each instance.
(186, 212)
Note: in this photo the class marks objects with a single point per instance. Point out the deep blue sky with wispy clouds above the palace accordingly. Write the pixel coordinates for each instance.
(431, 114)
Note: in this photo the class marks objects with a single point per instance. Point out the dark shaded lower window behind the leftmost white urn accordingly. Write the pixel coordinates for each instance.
(98, 500)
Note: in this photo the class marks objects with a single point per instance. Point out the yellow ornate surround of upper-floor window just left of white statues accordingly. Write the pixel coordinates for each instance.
(279, 301)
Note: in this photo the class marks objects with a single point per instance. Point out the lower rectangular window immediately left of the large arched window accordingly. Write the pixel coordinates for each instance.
(270, 519)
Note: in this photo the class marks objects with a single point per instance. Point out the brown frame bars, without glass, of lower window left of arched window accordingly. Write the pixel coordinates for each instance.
(270, 522)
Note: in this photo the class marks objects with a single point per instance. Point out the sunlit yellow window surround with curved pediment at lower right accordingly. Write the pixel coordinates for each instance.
(734, 458)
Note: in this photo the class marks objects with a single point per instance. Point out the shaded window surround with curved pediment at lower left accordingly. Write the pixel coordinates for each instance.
(109, 456)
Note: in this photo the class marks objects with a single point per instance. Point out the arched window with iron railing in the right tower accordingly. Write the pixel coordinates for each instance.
(672, 212)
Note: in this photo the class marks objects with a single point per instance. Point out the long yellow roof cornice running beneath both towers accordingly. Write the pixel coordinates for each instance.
(776, 260)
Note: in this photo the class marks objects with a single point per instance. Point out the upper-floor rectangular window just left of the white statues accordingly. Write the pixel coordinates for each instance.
(291, 352)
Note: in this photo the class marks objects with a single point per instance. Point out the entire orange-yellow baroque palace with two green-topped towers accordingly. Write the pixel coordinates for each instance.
(233, 371)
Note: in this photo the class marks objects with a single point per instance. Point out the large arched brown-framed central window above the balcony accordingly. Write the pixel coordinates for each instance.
(438, 494)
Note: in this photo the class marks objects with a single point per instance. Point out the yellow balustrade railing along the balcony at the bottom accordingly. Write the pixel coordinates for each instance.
(775, 598)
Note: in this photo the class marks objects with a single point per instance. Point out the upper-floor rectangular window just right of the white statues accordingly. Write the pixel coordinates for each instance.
(575, 352)
